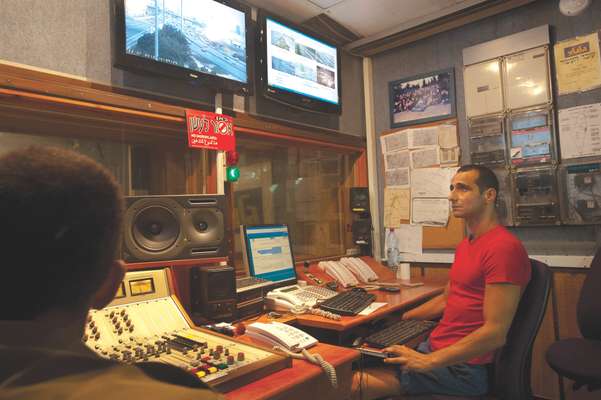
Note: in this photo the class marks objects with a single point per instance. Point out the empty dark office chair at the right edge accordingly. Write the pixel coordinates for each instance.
(578, 358)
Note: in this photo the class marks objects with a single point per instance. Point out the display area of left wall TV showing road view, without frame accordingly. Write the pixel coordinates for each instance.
(199, 35)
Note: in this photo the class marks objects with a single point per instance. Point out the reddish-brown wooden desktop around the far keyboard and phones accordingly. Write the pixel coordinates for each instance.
(406, 298)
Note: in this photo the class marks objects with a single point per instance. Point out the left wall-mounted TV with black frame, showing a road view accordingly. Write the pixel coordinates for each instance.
(197, 40)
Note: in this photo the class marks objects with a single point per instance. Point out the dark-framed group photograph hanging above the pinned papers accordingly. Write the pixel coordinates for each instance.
(423, 98)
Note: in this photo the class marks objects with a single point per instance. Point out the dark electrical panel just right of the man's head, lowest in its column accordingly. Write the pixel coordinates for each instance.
(535, 196)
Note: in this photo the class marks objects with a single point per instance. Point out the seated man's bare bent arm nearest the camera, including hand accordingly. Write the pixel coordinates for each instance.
(500, 304)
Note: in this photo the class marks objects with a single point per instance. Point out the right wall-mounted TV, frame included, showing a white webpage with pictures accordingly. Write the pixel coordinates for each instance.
(297, 67)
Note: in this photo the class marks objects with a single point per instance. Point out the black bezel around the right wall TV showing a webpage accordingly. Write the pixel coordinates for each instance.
(294, 99)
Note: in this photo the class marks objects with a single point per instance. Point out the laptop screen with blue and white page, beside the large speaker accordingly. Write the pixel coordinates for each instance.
(268, 253)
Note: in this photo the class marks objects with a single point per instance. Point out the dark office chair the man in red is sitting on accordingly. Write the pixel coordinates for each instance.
(510, 373)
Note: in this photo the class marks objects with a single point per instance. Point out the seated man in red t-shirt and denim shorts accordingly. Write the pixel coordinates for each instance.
(489, 274)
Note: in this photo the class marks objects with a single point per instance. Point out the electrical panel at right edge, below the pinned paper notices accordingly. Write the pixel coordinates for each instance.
(581, 193)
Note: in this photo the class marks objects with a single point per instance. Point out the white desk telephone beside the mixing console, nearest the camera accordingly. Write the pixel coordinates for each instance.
(278, 334)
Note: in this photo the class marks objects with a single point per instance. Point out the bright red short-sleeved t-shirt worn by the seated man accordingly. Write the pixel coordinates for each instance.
(495, 257)
